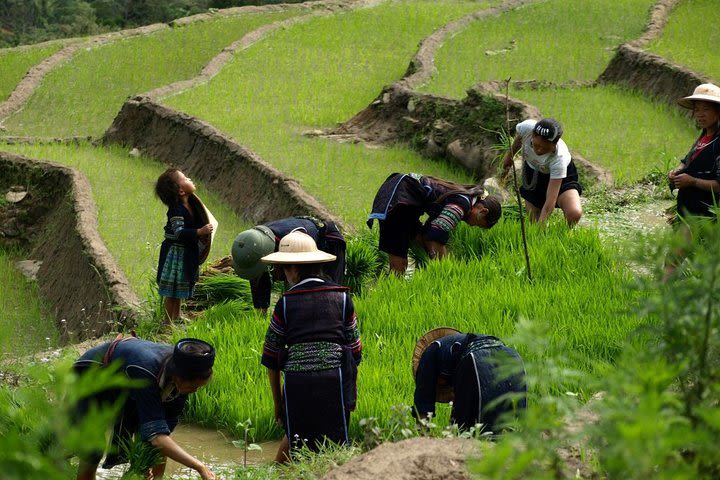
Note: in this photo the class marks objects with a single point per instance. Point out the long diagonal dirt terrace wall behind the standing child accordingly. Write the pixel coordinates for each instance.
(240, 177)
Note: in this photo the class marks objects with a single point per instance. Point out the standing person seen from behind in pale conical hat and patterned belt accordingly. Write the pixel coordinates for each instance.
(313, 338)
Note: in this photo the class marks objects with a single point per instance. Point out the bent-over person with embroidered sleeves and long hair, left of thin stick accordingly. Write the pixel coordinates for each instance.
(403, 198)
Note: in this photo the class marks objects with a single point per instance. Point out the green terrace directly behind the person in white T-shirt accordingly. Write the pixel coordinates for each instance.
(619, 130)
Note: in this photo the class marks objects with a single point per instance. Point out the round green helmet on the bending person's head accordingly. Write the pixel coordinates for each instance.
(248, 248)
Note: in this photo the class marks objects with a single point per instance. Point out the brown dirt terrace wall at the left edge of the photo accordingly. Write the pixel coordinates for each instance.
(78, 278)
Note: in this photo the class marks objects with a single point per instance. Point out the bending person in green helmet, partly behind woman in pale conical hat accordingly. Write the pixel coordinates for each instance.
(253, 244)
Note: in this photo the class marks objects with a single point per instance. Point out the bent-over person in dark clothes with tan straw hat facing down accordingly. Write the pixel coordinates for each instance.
(464, 368)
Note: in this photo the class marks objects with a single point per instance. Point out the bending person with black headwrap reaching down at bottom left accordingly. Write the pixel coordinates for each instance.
(169, 374)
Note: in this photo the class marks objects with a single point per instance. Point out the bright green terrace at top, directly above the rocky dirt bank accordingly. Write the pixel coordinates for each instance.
(556, 40)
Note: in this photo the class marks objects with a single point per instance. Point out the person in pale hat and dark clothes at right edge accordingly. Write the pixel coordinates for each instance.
(697, 178)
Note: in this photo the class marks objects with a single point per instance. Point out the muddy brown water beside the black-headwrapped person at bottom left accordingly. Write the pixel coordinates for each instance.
(213, 447)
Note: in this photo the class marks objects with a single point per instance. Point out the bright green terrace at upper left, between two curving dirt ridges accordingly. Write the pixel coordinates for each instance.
(83, 96)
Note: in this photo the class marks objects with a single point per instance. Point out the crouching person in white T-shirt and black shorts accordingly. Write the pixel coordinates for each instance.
(550, 178)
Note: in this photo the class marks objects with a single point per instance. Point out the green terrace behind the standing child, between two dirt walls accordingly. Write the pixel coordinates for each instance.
(130, 217)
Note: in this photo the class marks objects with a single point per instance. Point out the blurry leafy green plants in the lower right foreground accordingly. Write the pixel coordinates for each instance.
(658, 414)
